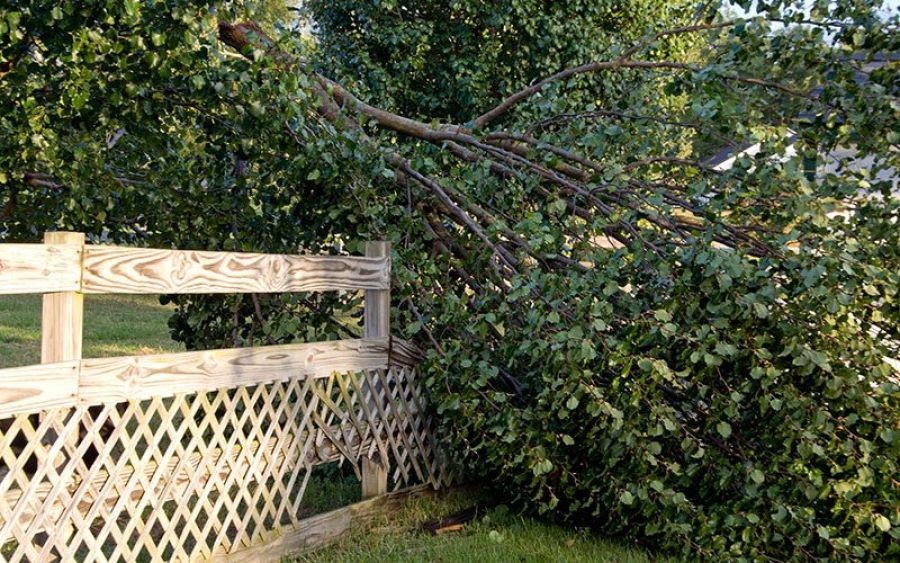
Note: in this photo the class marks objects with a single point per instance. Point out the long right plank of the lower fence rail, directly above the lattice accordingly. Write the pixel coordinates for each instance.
(143, 377)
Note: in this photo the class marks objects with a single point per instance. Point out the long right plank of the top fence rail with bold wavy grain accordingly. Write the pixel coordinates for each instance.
(110, 269)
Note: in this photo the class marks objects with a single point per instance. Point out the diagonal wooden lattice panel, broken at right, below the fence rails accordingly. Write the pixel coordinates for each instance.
(195, 475)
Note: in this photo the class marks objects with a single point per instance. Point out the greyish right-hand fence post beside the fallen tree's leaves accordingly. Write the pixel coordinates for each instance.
(376, 323)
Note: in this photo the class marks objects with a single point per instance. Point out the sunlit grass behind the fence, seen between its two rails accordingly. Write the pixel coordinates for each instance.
(114, 325)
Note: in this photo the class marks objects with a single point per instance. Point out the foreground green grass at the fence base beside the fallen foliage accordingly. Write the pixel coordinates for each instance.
(498, 535)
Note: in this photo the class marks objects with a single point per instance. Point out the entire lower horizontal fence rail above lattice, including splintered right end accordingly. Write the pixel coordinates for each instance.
(111, 380)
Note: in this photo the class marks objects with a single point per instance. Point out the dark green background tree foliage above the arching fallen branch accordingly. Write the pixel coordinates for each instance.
(438, 59)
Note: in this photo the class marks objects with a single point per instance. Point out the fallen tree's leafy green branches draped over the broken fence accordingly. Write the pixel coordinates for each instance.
(621, 335)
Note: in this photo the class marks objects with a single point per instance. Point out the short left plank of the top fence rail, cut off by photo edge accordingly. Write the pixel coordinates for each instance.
(39, 268)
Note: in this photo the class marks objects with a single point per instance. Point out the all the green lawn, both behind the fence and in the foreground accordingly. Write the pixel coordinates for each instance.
(127, 325)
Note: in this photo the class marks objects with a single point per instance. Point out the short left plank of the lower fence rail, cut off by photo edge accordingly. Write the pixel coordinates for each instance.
(34, 388)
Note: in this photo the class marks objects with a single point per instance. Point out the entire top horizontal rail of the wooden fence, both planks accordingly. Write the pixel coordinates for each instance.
(53, 268)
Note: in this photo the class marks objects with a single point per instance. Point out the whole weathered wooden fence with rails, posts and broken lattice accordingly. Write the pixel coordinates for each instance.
(195, 455)
